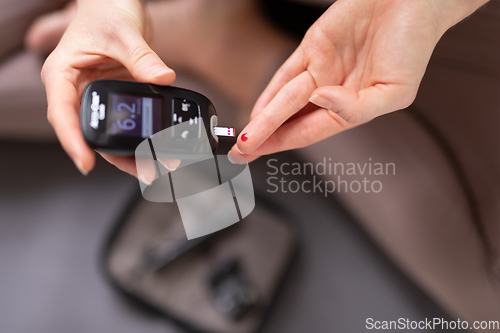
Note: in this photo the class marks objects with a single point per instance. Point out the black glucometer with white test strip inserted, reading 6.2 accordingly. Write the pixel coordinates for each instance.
(116, 116)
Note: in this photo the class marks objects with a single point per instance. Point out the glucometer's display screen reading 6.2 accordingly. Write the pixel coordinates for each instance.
(136, 116)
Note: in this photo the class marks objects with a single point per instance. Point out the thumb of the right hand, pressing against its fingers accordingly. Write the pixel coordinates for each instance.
(365, 105)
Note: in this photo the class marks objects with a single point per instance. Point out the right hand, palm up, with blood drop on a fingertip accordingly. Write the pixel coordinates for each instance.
(361, 59)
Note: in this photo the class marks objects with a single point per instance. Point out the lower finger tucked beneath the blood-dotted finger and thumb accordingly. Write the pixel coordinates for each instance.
(301, 132)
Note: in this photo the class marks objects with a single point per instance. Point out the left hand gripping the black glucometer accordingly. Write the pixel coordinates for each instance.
(106, 39)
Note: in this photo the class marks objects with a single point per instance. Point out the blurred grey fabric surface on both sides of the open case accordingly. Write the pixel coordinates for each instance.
(53, 223)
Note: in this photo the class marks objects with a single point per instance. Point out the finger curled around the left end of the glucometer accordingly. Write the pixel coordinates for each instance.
(62, 113)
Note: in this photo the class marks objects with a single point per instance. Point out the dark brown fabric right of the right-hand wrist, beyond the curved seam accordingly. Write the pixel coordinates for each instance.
(461, 96)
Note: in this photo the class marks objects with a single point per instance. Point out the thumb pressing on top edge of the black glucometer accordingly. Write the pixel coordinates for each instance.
(143, 63)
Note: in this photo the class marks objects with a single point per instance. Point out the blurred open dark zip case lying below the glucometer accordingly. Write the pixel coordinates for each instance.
(257, 252)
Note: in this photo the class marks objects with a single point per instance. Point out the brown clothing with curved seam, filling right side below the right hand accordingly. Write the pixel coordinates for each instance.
(423, 218)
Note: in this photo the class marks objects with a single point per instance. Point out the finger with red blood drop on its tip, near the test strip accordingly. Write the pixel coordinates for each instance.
(289, 100)
